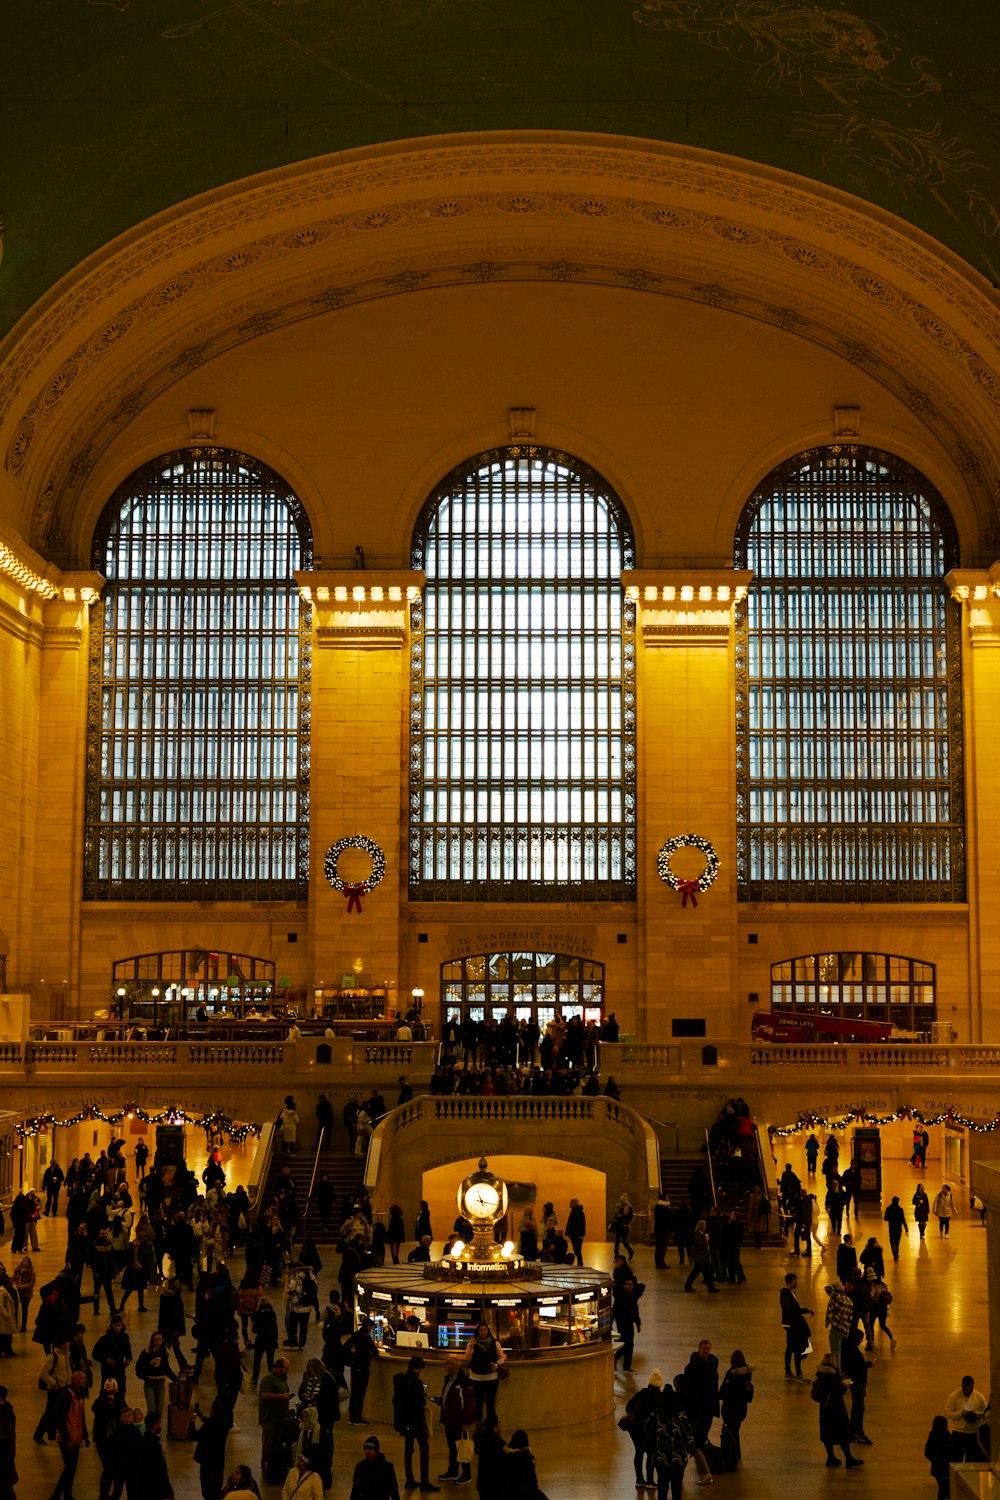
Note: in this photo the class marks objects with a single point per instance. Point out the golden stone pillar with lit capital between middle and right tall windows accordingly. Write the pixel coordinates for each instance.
(686, 775)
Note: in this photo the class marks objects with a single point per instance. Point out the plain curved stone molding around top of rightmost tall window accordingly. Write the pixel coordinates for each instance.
(924, 458)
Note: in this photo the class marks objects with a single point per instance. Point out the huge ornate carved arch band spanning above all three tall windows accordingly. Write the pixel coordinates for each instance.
(639, 217)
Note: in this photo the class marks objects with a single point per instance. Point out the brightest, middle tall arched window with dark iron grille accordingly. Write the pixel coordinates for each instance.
(522, 772)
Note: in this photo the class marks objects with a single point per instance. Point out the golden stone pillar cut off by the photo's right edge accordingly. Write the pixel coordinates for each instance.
(980, 595)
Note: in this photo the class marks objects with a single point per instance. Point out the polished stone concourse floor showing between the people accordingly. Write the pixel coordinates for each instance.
(941, 1327)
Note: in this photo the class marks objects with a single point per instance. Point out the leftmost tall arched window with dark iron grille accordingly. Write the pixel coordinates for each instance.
(200, 673)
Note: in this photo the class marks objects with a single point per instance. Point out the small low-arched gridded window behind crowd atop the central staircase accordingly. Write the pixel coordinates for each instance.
(522, 988)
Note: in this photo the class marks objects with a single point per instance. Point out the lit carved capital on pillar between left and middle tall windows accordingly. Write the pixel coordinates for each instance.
(361, 610)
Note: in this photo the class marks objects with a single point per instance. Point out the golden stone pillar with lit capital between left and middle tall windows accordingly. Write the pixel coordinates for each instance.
(358, 779)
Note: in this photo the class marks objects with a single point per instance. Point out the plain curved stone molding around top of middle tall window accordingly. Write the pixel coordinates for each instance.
(497, 436)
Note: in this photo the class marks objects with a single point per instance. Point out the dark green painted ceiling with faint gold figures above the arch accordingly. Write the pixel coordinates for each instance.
(112, 110)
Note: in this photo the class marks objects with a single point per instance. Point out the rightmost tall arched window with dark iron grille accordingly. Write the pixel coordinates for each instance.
(849, 736)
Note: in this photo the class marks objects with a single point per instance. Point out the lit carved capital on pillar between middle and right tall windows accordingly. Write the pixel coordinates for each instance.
(684, 607)
